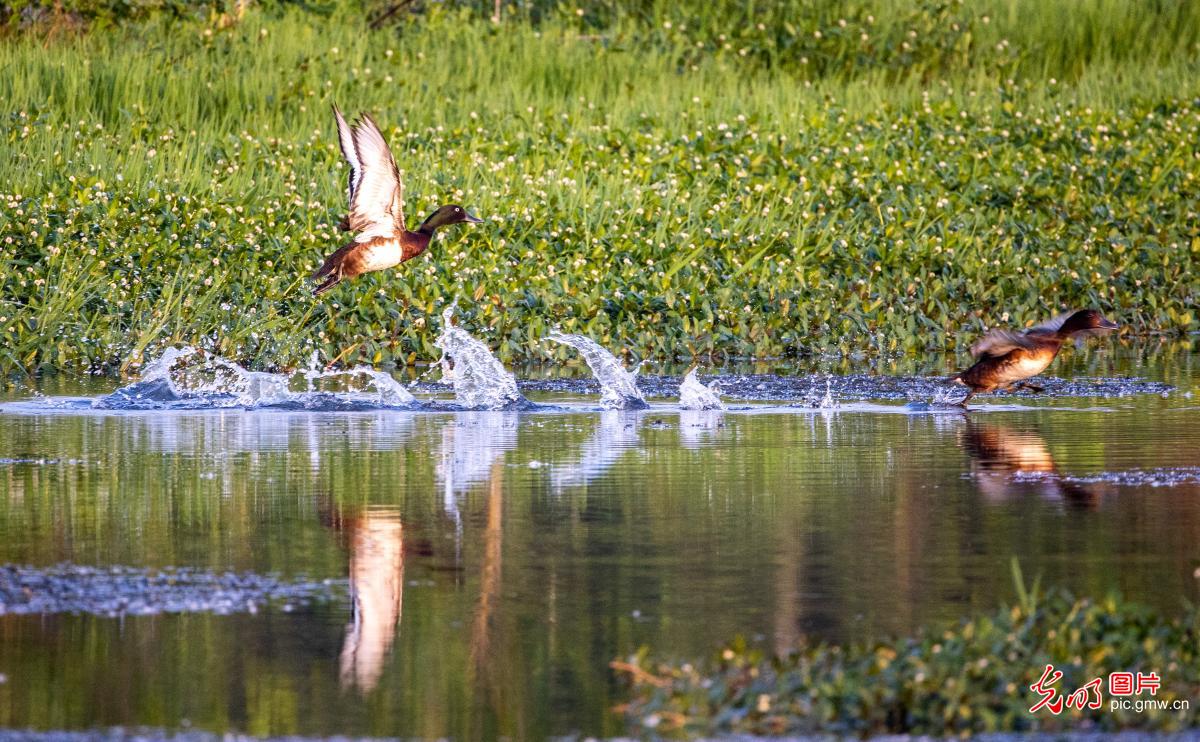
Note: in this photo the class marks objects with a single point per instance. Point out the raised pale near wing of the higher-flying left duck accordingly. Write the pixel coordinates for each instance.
(377, 202)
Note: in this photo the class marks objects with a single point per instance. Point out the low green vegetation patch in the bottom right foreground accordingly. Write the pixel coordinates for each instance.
(974, 678)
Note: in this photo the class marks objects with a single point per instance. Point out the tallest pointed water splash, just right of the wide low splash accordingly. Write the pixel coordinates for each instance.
(481, 381)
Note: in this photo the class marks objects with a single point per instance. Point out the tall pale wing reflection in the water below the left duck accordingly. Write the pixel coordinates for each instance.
(377, 590)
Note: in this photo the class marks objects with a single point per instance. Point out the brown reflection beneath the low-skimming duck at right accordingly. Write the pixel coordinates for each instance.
(1007, 464)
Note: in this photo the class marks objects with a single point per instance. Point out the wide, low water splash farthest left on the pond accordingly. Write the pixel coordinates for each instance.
(190, 379)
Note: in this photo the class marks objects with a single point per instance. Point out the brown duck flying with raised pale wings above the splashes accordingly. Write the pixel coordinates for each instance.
(377, 210)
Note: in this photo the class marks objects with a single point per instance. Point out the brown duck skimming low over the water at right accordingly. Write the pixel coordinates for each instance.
(1009, 358)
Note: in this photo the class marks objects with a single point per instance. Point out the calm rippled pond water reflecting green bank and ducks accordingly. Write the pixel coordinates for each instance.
(489, 565)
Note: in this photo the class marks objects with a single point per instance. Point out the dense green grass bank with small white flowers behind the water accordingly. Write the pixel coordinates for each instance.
(785, 189)
